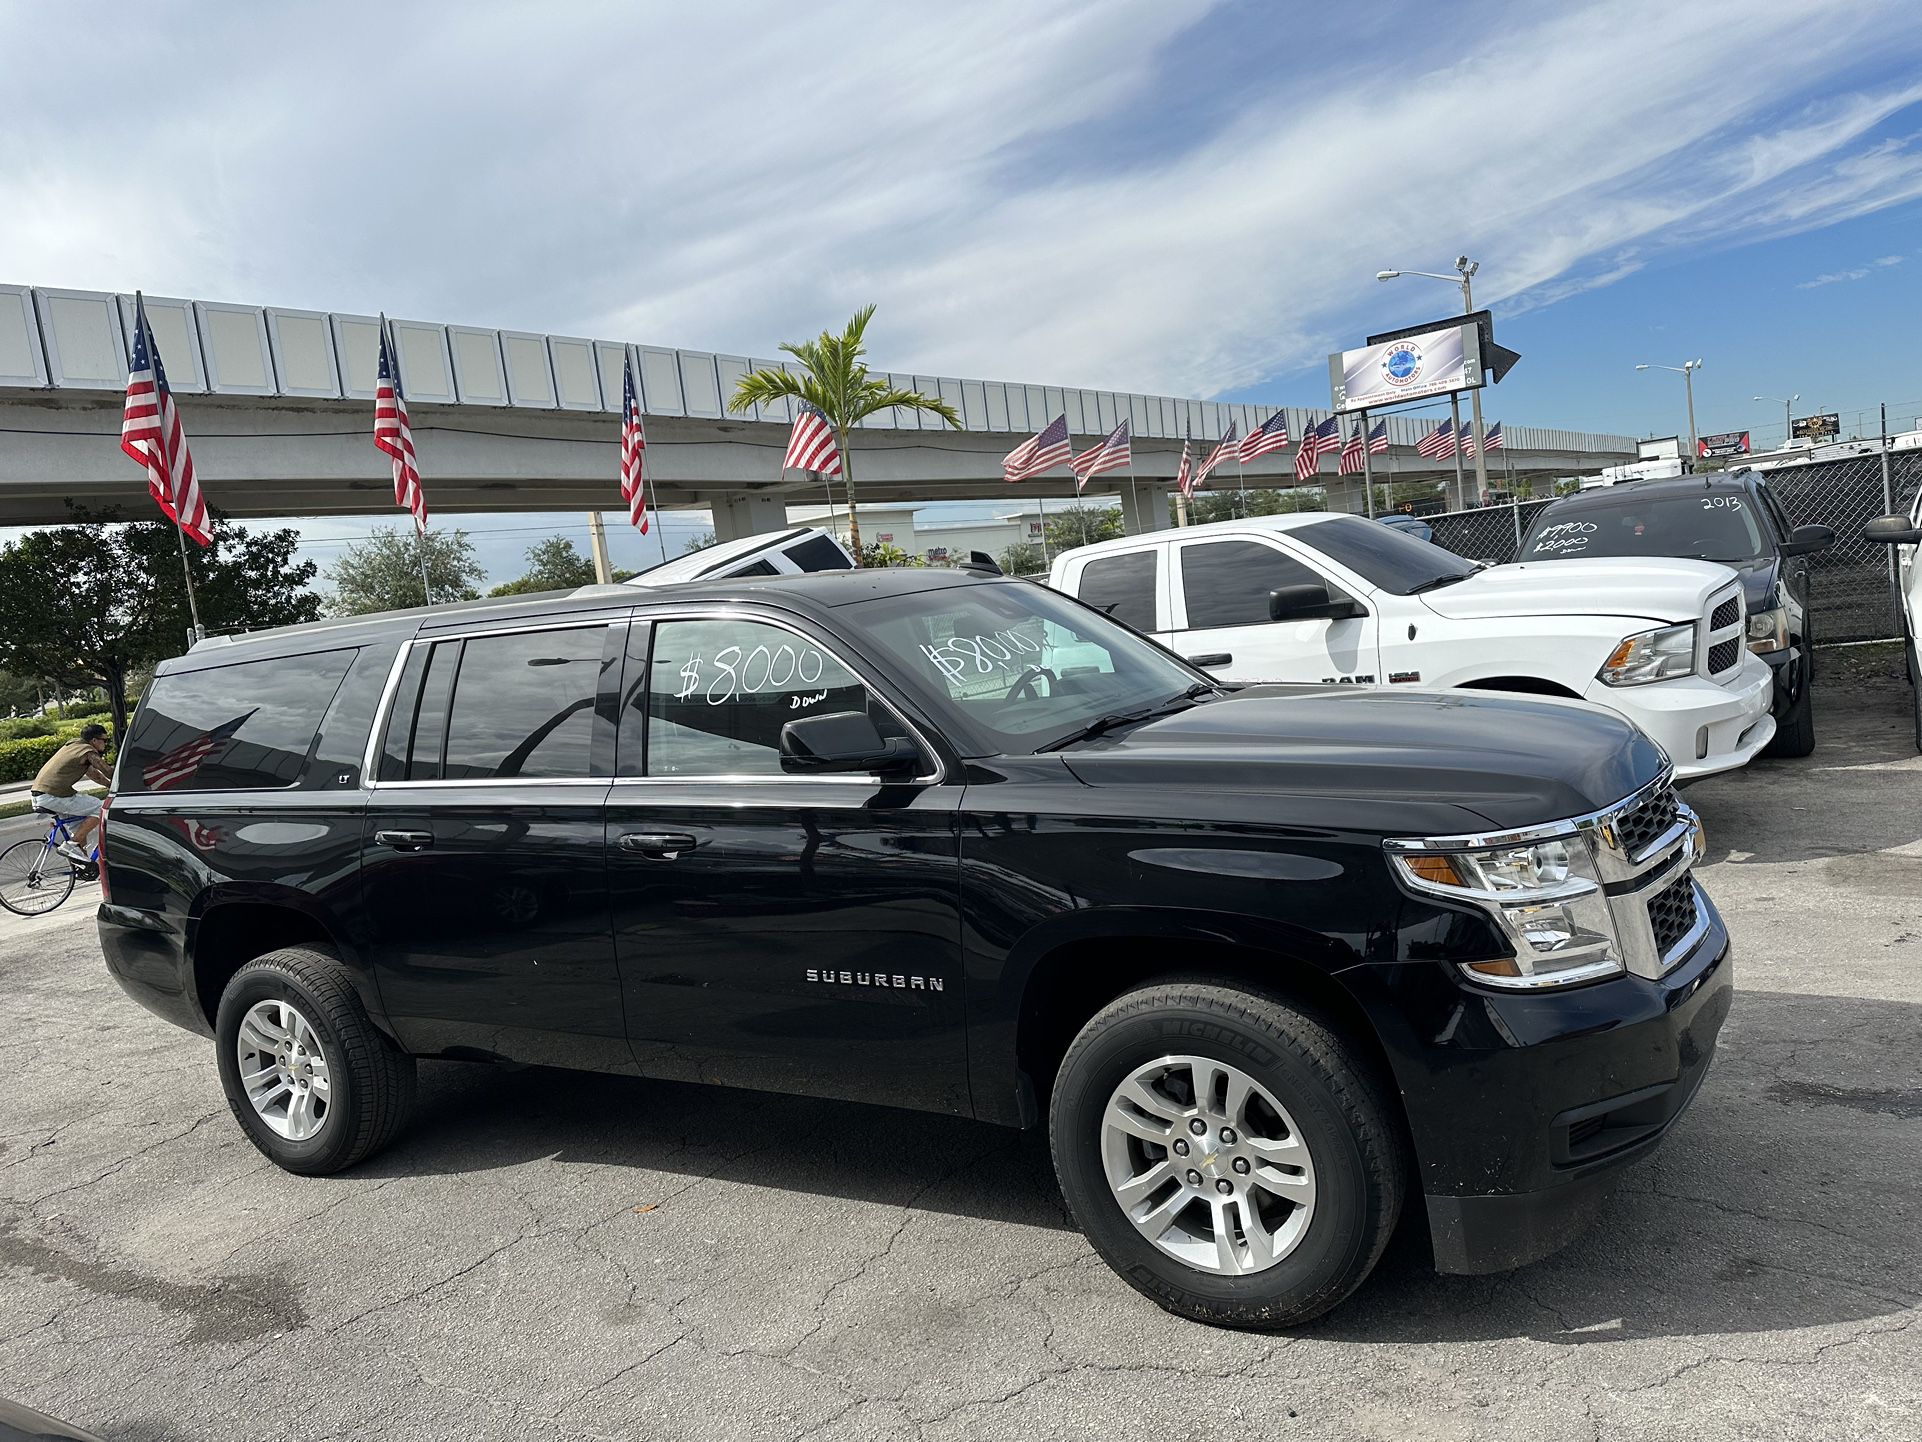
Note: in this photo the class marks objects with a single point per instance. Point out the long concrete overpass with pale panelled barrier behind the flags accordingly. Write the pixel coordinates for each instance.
(278, 407)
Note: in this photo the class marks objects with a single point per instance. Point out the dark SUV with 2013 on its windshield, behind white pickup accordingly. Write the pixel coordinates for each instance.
(1712, 518)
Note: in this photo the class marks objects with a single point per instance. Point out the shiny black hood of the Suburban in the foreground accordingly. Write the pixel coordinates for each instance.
(1515, 762)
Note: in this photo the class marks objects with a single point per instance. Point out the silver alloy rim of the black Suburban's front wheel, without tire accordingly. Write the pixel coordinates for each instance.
(1208, 1166)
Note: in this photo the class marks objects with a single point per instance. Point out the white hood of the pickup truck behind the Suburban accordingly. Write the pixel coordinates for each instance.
(1658, 587)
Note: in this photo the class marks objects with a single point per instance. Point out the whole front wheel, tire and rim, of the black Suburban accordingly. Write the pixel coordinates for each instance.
(1229, 1155)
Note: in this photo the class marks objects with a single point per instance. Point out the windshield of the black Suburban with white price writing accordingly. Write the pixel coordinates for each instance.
(1018, 664)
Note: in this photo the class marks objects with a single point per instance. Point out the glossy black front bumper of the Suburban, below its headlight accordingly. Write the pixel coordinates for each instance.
(1525, 1106)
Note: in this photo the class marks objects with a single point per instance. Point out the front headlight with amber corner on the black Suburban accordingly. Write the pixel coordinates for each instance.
(1546, 897)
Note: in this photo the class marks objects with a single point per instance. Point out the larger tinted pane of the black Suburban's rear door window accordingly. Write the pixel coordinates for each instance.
(524, 705)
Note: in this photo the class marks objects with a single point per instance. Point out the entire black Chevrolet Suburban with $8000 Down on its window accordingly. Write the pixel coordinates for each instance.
(1273, 966)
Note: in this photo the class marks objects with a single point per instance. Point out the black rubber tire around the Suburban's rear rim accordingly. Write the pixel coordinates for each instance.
(372, 1080)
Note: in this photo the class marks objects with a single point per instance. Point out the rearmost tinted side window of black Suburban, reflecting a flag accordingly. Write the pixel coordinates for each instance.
(232, 728)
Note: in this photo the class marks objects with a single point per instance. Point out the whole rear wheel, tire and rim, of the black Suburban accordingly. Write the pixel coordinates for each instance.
(310, 1080)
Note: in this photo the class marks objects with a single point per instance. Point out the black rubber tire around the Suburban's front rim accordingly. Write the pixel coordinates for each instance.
(1335, 1099)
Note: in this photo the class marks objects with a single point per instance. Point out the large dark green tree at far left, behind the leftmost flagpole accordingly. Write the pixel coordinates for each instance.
(99, 603)
